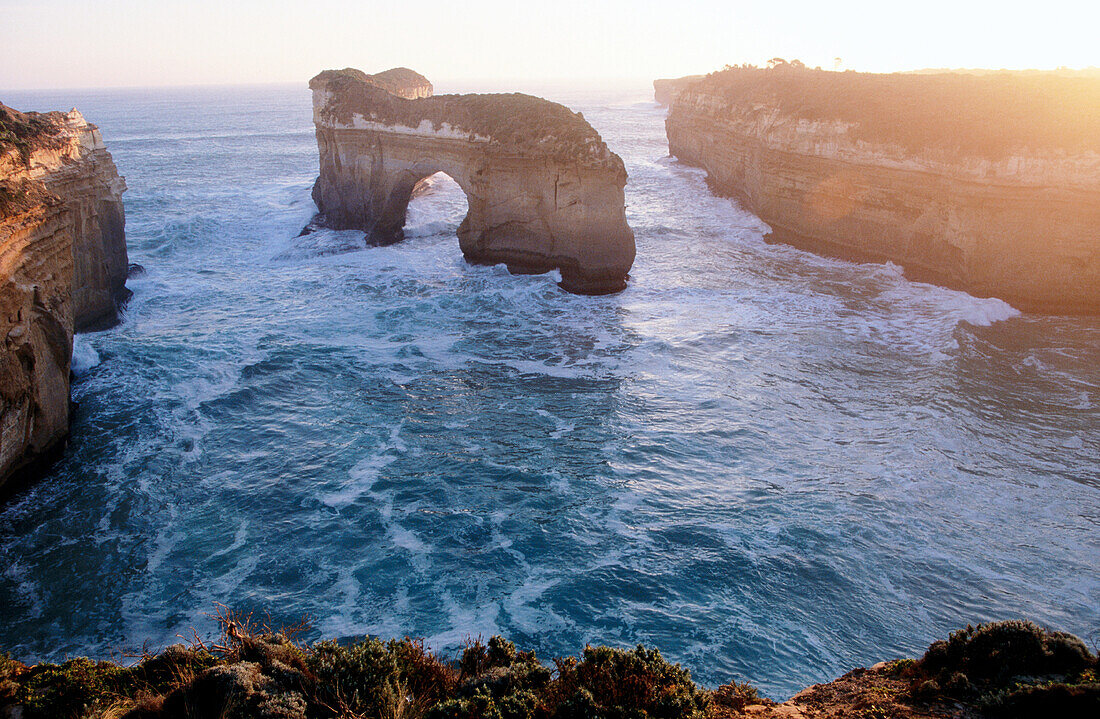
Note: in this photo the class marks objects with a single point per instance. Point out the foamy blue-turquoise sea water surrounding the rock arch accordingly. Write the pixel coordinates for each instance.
(768, 464)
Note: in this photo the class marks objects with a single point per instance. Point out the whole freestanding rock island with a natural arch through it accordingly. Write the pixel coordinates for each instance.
(544, 191)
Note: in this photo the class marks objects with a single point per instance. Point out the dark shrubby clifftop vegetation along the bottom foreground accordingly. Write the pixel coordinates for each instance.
(1007, 669)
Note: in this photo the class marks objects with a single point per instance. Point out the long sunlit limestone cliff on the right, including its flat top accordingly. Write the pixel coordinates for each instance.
(991, 185)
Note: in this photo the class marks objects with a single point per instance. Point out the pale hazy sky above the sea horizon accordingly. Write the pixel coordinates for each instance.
(50, 45)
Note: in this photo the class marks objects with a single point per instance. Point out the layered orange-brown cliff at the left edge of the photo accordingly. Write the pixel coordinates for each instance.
(63, 264)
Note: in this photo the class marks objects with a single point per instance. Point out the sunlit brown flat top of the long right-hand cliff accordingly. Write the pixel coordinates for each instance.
(989, 116)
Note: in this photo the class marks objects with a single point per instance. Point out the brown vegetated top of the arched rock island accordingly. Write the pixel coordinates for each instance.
(513, 123)
